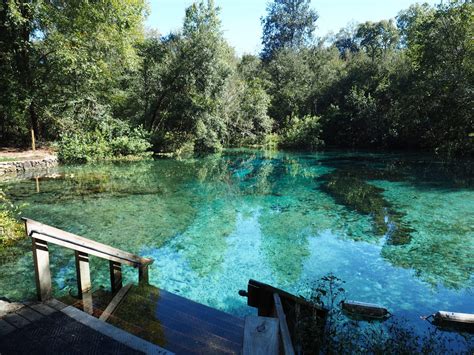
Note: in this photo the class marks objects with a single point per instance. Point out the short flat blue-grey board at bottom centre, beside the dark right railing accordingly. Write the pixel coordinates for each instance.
(260, 336)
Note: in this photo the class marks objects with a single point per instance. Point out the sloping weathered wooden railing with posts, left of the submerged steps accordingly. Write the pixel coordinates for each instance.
(42, 234)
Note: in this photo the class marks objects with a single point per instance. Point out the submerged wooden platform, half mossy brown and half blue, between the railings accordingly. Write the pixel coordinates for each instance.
(178, 324)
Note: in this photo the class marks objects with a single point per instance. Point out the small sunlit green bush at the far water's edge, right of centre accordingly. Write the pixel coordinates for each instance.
(302, 133)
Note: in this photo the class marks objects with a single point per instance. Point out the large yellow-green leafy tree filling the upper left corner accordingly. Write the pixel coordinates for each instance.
(60, 55)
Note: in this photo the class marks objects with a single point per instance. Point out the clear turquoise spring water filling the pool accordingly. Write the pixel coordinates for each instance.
(212, 223)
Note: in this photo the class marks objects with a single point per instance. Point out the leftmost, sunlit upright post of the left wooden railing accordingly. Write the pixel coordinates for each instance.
(42, 270)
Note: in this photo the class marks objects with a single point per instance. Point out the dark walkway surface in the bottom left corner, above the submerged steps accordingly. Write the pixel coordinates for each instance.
(53, 328)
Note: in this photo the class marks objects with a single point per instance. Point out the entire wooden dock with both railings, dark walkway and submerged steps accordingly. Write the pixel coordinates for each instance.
(136, 318)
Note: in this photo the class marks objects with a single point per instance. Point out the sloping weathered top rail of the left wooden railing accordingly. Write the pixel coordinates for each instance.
(75, 242)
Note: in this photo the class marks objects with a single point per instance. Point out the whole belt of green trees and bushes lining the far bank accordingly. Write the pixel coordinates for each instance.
(77, 71)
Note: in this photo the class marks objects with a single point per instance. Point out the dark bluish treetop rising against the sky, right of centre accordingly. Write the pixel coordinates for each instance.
(288, 24)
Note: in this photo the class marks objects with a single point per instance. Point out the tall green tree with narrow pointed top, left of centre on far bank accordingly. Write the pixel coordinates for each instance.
(183, 77)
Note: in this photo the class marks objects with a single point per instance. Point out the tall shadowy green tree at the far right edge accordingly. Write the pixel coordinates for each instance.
(441, 51)
